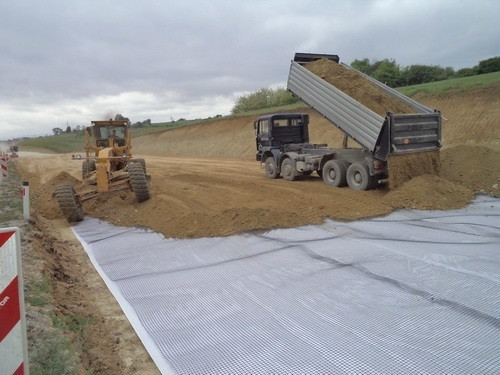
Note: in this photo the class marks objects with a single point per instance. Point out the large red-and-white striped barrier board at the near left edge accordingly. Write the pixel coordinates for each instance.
(13, 343)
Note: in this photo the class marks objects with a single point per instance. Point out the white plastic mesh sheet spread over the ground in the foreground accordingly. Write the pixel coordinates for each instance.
(413, 292)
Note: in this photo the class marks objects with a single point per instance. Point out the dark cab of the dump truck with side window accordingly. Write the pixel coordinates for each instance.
(279, 132)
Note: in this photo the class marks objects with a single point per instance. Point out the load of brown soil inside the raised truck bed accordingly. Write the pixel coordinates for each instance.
(357, 87)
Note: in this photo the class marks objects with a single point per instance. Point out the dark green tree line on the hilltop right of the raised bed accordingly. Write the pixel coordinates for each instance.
(392, 74)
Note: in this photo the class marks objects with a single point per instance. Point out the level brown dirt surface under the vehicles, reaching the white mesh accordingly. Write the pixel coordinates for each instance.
(195, 197)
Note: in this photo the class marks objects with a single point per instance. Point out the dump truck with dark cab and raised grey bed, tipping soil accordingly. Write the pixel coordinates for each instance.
(282, 140)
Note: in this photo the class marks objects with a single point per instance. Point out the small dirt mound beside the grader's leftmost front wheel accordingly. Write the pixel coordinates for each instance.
(44, 203)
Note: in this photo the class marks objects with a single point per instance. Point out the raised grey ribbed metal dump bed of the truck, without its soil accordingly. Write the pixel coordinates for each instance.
(396, 133)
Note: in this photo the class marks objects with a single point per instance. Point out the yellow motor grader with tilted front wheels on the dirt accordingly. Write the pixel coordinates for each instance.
(108, 167)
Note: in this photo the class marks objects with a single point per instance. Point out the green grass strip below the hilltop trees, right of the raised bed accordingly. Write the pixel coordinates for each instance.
(463, 83)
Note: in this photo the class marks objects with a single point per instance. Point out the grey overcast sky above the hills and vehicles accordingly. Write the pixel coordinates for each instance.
(77, 61)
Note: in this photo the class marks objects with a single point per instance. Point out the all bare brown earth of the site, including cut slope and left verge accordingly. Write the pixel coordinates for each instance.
(205, 182)
